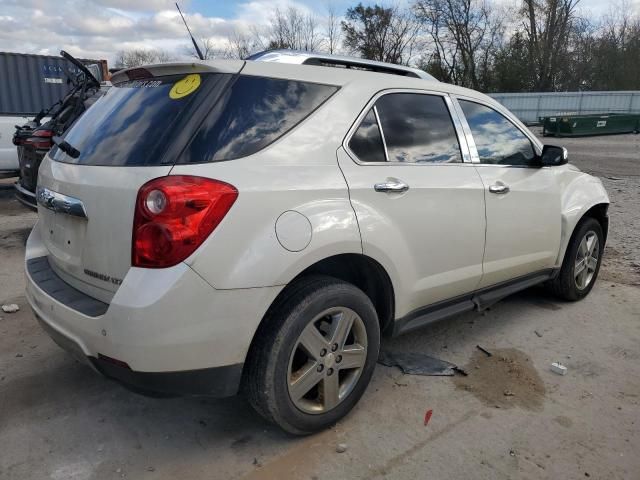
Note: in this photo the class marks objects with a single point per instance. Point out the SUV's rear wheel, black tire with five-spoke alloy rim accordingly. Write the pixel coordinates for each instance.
(314, 355)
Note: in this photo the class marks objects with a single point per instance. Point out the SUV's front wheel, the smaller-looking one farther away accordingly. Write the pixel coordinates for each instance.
(581, 262)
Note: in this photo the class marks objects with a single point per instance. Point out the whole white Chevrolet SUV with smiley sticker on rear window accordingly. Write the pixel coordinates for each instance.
(215, 226)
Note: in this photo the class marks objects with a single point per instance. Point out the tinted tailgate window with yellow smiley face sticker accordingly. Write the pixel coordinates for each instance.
(136, 120)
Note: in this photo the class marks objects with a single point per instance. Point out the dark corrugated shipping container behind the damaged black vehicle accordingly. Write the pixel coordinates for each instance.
(30, 83)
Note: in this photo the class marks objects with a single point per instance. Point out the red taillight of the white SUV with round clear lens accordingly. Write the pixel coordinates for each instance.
(174, 215)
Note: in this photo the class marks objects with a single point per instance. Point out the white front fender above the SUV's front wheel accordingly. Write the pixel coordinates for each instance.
(580, 192)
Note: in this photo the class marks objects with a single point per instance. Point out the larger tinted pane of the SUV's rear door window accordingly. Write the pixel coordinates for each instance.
(418, 129)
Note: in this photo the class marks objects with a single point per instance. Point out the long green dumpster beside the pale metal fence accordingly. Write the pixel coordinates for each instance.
(584, 125)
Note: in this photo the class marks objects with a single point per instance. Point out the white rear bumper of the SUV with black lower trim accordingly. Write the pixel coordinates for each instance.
(165, 331)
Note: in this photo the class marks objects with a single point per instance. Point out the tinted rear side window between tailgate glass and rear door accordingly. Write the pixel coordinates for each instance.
(251, 114)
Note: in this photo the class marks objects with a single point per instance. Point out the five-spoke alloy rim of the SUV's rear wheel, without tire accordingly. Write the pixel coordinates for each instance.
(327, 360)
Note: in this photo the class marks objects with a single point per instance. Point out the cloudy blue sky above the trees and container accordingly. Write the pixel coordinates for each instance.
(97, 29)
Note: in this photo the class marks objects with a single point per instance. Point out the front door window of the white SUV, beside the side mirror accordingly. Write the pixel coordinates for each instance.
(497, 139)
